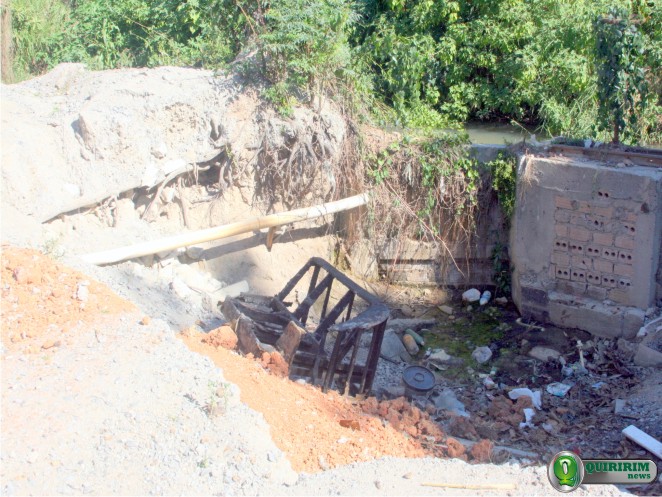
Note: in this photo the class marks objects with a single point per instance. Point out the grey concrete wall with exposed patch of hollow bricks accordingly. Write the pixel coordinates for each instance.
(586, 243)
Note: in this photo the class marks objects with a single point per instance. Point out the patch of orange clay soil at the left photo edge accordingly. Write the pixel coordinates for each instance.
(42, 304)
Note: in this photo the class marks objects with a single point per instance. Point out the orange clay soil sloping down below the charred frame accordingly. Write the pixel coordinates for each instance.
(319, 431)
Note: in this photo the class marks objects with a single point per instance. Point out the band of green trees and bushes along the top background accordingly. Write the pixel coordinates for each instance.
(580, 67)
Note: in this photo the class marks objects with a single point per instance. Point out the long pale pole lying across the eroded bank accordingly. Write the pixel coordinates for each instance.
(192, 238)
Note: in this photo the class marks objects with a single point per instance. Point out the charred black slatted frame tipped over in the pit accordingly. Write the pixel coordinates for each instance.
(271, 315)
